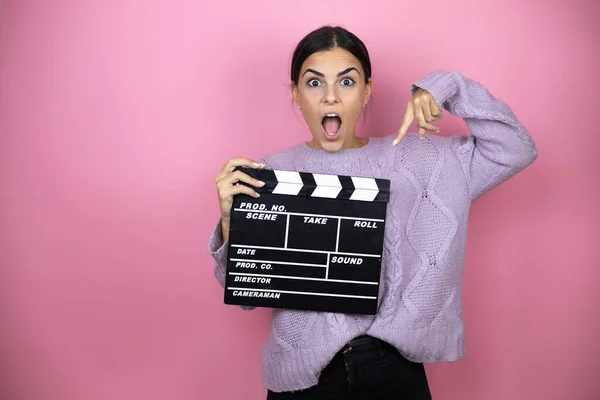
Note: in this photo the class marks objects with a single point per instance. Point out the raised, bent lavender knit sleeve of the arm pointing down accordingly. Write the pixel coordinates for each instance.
(499, 146)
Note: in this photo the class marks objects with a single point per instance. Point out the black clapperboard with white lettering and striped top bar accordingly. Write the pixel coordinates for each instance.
(309, 242)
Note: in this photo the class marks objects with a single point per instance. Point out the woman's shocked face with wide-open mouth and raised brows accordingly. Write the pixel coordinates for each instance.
(331, 92)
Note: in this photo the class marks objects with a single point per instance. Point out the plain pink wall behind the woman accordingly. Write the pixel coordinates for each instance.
(115, 117)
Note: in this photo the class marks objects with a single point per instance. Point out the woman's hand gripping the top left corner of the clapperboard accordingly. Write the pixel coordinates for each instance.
(227, 184)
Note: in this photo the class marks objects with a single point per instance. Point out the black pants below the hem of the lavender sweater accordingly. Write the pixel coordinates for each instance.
(366, 369)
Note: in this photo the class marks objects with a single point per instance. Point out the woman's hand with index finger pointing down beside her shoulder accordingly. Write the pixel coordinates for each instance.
(423, 108)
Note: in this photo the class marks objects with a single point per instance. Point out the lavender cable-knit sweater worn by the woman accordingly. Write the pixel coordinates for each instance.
(433, 182)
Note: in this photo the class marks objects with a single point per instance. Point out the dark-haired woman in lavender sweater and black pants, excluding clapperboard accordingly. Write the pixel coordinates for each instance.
(314, 355)
